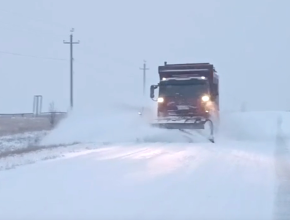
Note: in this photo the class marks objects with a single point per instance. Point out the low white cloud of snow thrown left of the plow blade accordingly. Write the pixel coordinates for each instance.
(123, 127)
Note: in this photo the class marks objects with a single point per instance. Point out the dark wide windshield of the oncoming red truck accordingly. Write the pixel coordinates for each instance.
(185, 90)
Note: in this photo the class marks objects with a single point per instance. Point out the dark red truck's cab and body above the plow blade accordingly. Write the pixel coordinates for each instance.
(187, 90)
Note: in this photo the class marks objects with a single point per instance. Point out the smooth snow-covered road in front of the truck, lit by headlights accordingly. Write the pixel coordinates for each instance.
(176, 181)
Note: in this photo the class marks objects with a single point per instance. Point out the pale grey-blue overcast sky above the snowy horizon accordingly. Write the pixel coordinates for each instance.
(247, 41)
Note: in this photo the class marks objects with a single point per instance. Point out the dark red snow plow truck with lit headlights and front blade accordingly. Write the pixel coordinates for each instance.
(188, 98)
